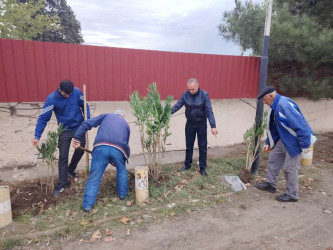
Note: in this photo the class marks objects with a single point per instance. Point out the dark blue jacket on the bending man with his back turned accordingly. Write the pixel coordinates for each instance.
(113, 131)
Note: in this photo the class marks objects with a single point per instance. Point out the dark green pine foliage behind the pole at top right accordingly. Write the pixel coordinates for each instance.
(301, 42)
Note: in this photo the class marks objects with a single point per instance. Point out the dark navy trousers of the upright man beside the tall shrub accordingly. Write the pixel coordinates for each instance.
(191, 131)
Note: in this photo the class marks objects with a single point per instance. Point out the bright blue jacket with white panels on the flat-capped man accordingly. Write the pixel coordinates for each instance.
(285, 121)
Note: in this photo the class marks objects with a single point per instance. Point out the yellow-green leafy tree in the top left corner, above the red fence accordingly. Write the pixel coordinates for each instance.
(23, 20)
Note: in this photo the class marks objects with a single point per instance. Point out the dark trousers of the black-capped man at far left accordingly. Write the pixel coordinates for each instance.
(64, 143)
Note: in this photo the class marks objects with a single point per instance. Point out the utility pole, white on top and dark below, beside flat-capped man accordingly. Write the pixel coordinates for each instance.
(262, 80)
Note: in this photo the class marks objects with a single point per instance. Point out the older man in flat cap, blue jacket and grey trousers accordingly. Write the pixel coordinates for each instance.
(288, 135)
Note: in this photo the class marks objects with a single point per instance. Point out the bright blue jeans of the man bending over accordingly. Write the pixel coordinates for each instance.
(101, 157)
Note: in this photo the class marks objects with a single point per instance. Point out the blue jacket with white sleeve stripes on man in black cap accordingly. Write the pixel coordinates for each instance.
(68, 111)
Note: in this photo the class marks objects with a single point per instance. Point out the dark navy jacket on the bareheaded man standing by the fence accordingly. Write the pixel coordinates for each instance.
(198, 107)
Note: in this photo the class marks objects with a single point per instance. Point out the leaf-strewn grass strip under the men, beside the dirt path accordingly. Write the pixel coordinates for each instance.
(174, 194)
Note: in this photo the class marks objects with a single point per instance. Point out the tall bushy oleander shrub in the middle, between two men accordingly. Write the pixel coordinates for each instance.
(152, 118)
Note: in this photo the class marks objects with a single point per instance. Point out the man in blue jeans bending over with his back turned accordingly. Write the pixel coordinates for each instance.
(110, 146)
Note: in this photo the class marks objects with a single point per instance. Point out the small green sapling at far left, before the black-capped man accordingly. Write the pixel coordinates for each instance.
(47, 152)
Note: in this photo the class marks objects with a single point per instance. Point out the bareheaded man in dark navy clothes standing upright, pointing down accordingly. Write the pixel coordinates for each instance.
(198, 110)
